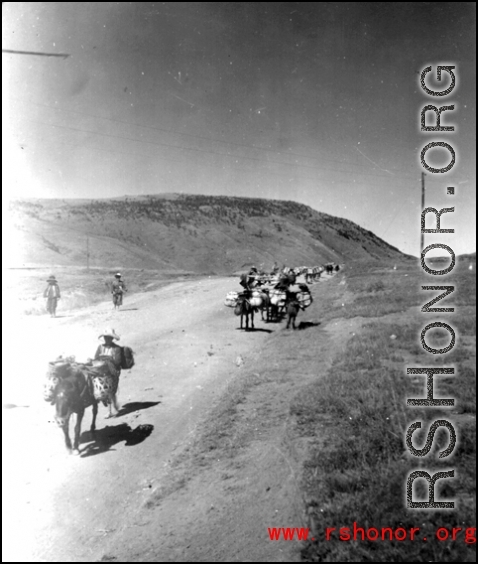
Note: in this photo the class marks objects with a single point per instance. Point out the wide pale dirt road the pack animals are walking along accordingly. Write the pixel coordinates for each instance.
(121, 499)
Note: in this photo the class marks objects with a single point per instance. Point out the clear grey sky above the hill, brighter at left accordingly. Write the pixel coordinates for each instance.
(313, 102)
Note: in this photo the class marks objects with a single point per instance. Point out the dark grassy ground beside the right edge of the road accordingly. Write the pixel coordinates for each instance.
(358, 415)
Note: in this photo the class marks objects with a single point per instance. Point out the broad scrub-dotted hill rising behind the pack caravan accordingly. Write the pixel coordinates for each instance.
(184, 233)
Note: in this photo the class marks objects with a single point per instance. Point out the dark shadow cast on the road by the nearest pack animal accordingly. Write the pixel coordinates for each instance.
(104, 439)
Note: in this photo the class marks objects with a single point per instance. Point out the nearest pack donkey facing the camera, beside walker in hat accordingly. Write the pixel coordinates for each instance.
(74, 393)
